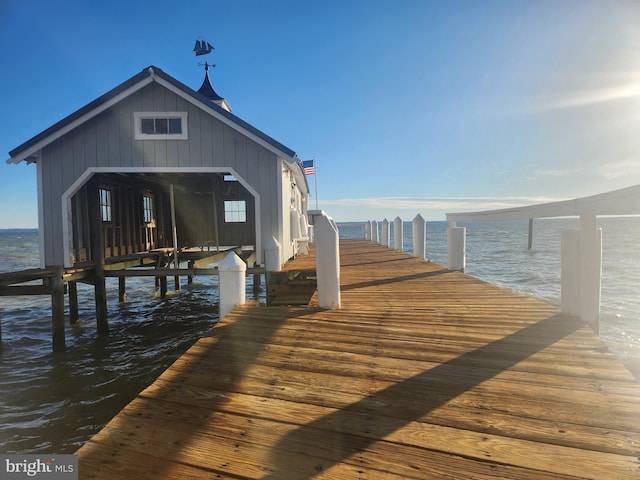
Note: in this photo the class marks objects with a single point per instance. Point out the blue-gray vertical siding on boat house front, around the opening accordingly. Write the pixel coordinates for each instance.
(107, 140)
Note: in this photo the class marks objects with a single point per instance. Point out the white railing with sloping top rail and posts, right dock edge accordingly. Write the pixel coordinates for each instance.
(581, 262)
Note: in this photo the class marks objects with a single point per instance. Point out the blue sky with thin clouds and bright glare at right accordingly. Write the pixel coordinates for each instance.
(408, 106)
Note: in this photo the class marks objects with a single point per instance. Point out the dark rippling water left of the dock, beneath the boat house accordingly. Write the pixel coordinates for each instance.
(52, 403)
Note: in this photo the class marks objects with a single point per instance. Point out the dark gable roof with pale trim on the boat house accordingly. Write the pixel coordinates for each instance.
(28, 151)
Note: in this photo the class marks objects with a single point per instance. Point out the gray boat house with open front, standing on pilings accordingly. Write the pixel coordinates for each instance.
(155, 165)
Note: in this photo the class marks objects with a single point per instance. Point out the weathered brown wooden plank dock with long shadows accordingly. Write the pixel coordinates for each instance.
(424, 373)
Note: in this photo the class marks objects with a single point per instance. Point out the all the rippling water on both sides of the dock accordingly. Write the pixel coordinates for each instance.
(52, 403)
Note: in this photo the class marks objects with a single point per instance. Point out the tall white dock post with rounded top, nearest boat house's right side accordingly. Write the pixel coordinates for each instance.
(327, 259)
